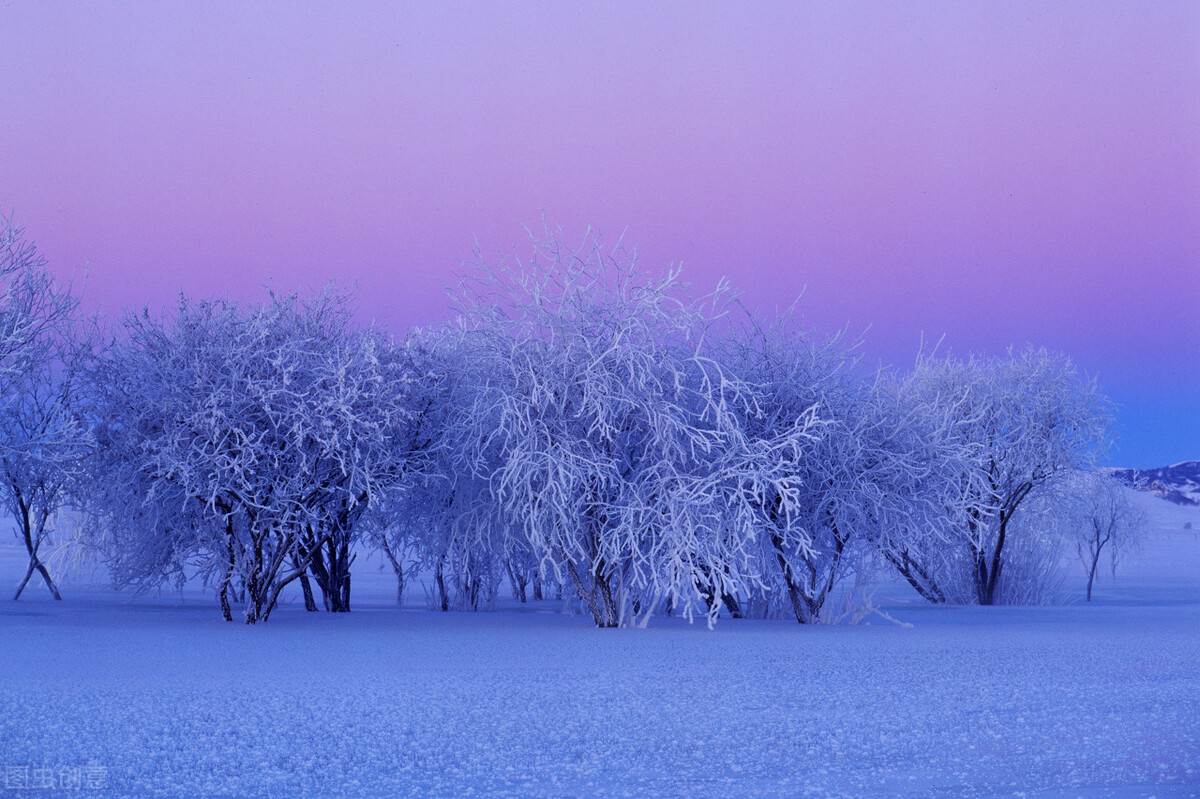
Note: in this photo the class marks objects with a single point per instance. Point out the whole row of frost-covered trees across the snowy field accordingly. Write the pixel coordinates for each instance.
(581, 428)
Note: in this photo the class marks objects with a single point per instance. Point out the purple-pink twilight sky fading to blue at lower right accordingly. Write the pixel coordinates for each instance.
(999, 173)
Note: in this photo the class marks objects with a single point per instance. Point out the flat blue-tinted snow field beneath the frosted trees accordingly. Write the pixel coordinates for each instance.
(155, 696)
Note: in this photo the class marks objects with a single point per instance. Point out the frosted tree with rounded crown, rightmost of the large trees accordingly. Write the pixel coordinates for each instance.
(1030, 420)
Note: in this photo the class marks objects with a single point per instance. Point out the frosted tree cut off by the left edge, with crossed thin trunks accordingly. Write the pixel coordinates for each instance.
(43, 438)
